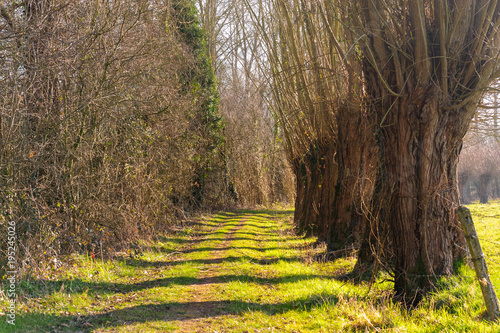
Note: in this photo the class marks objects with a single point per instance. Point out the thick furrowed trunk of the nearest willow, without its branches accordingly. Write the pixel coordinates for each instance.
(419, 177)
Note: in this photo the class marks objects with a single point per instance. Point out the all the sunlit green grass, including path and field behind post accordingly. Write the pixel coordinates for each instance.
(243, 272)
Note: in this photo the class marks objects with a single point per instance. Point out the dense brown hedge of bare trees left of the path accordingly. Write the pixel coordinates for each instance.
(109, 123)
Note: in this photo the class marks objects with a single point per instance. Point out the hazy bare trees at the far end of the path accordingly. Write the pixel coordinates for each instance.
(255, 146)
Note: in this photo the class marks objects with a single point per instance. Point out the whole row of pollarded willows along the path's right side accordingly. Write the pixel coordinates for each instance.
(374, 99)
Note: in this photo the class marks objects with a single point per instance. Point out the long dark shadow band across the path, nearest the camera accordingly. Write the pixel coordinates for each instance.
(167, 312)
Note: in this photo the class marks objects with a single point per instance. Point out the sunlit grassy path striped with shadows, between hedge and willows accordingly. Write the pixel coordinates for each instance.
(231, 272)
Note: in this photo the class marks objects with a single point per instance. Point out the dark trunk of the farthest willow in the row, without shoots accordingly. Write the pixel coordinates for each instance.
(316, 176)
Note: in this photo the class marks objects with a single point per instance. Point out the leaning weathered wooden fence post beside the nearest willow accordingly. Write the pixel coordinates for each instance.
(490, 298)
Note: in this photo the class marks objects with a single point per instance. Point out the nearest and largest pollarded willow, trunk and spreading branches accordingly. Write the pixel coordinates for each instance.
(426, 65)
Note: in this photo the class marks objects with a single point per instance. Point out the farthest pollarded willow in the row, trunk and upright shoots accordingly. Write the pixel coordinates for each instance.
(302, 95)
